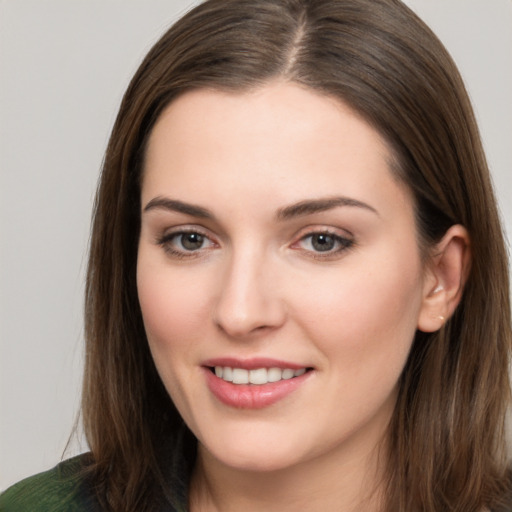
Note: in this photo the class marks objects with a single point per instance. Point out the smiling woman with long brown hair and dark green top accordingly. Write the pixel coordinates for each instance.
(297, 294)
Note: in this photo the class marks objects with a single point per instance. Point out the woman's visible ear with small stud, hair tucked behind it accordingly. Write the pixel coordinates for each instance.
(446, 275)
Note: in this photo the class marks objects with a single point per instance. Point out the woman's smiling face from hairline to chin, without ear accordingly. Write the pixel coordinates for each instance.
(276, 243)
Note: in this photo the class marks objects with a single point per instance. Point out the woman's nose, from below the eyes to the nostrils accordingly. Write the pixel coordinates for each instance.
(249, 300)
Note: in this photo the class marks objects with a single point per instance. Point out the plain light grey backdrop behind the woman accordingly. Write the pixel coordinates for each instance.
(64, 65)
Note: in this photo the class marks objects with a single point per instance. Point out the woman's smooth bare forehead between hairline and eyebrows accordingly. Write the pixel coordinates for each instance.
(280, 137)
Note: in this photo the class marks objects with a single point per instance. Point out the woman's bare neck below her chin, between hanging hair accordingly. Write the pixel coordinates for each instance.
(351, 484)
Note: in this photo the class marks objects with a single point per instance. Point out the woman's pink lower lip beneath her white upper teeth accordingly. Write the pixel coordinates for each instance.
(252, 396)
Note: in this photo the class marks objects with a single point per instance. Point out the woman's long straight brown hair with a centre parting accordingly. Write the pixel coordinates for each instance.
(447, 433)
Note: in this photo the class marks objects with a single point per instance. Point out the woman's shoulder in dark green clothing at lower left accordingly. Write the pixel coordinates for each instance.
(63, 488)
